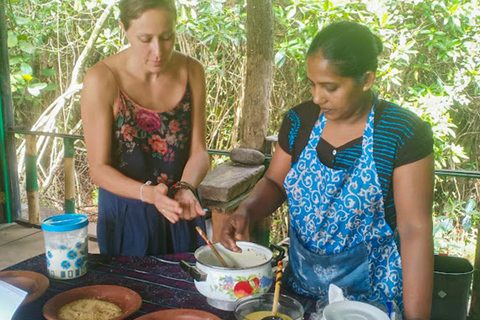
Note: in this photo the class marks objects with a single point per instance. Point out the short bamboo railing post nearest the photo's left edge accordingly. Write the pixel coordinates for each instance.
(31, 179)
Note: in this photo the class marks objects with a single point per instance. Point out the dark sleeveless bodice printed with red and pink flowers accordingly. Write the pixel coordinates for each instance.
(149, 145)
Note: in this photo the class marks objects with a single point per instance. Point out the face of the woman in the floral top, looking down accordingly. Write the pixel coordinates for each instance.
(152, 38)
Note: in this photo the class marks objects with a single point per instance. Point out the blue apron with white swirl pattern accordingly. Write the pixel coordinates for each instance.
(338, 231)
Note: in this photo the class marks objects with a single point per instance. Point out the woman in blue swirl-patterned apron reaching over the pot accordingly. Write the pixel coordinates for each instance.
(357, 172)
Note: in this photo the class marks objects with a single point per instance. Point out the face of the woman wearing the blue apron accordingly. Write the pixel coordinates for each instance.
(338, 97)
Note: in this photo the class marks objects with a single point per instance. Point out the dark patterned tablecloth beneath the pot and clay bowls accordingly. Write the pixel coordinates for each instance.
(159, 280)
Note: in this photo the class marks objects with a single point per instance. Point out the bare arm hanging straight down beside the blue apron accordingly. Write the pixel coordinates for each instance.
(413, 190)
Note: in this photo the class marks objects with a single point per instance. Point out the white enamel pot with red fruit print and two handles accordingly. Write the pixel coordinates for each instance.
(250, 272)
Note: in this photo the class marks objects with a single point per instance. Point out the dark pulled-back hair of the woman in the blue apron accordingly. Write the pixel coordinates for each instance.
(351, 47)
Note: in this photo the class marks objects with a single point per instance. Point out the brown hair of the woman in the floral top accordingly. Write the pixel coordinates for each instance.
(133, 9)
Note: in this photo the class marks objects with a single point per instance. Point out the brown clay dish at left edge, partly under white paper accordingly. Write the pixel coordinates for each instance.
(32, 282)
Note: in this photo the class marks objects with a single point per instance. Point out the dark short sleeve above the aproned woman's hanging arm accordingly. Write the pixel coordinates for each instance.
(417, 146)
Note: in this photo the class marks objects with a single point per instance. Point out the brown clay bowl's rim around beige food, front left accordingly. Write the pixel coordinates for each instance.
(128, 300)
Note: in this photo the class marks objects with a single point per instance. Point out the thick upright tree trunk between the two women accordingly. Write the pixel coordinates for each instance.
(259, 76)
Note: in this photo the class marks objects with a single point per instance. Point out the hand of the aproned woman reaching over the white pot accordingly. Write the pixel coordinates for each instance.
(233, 229)
